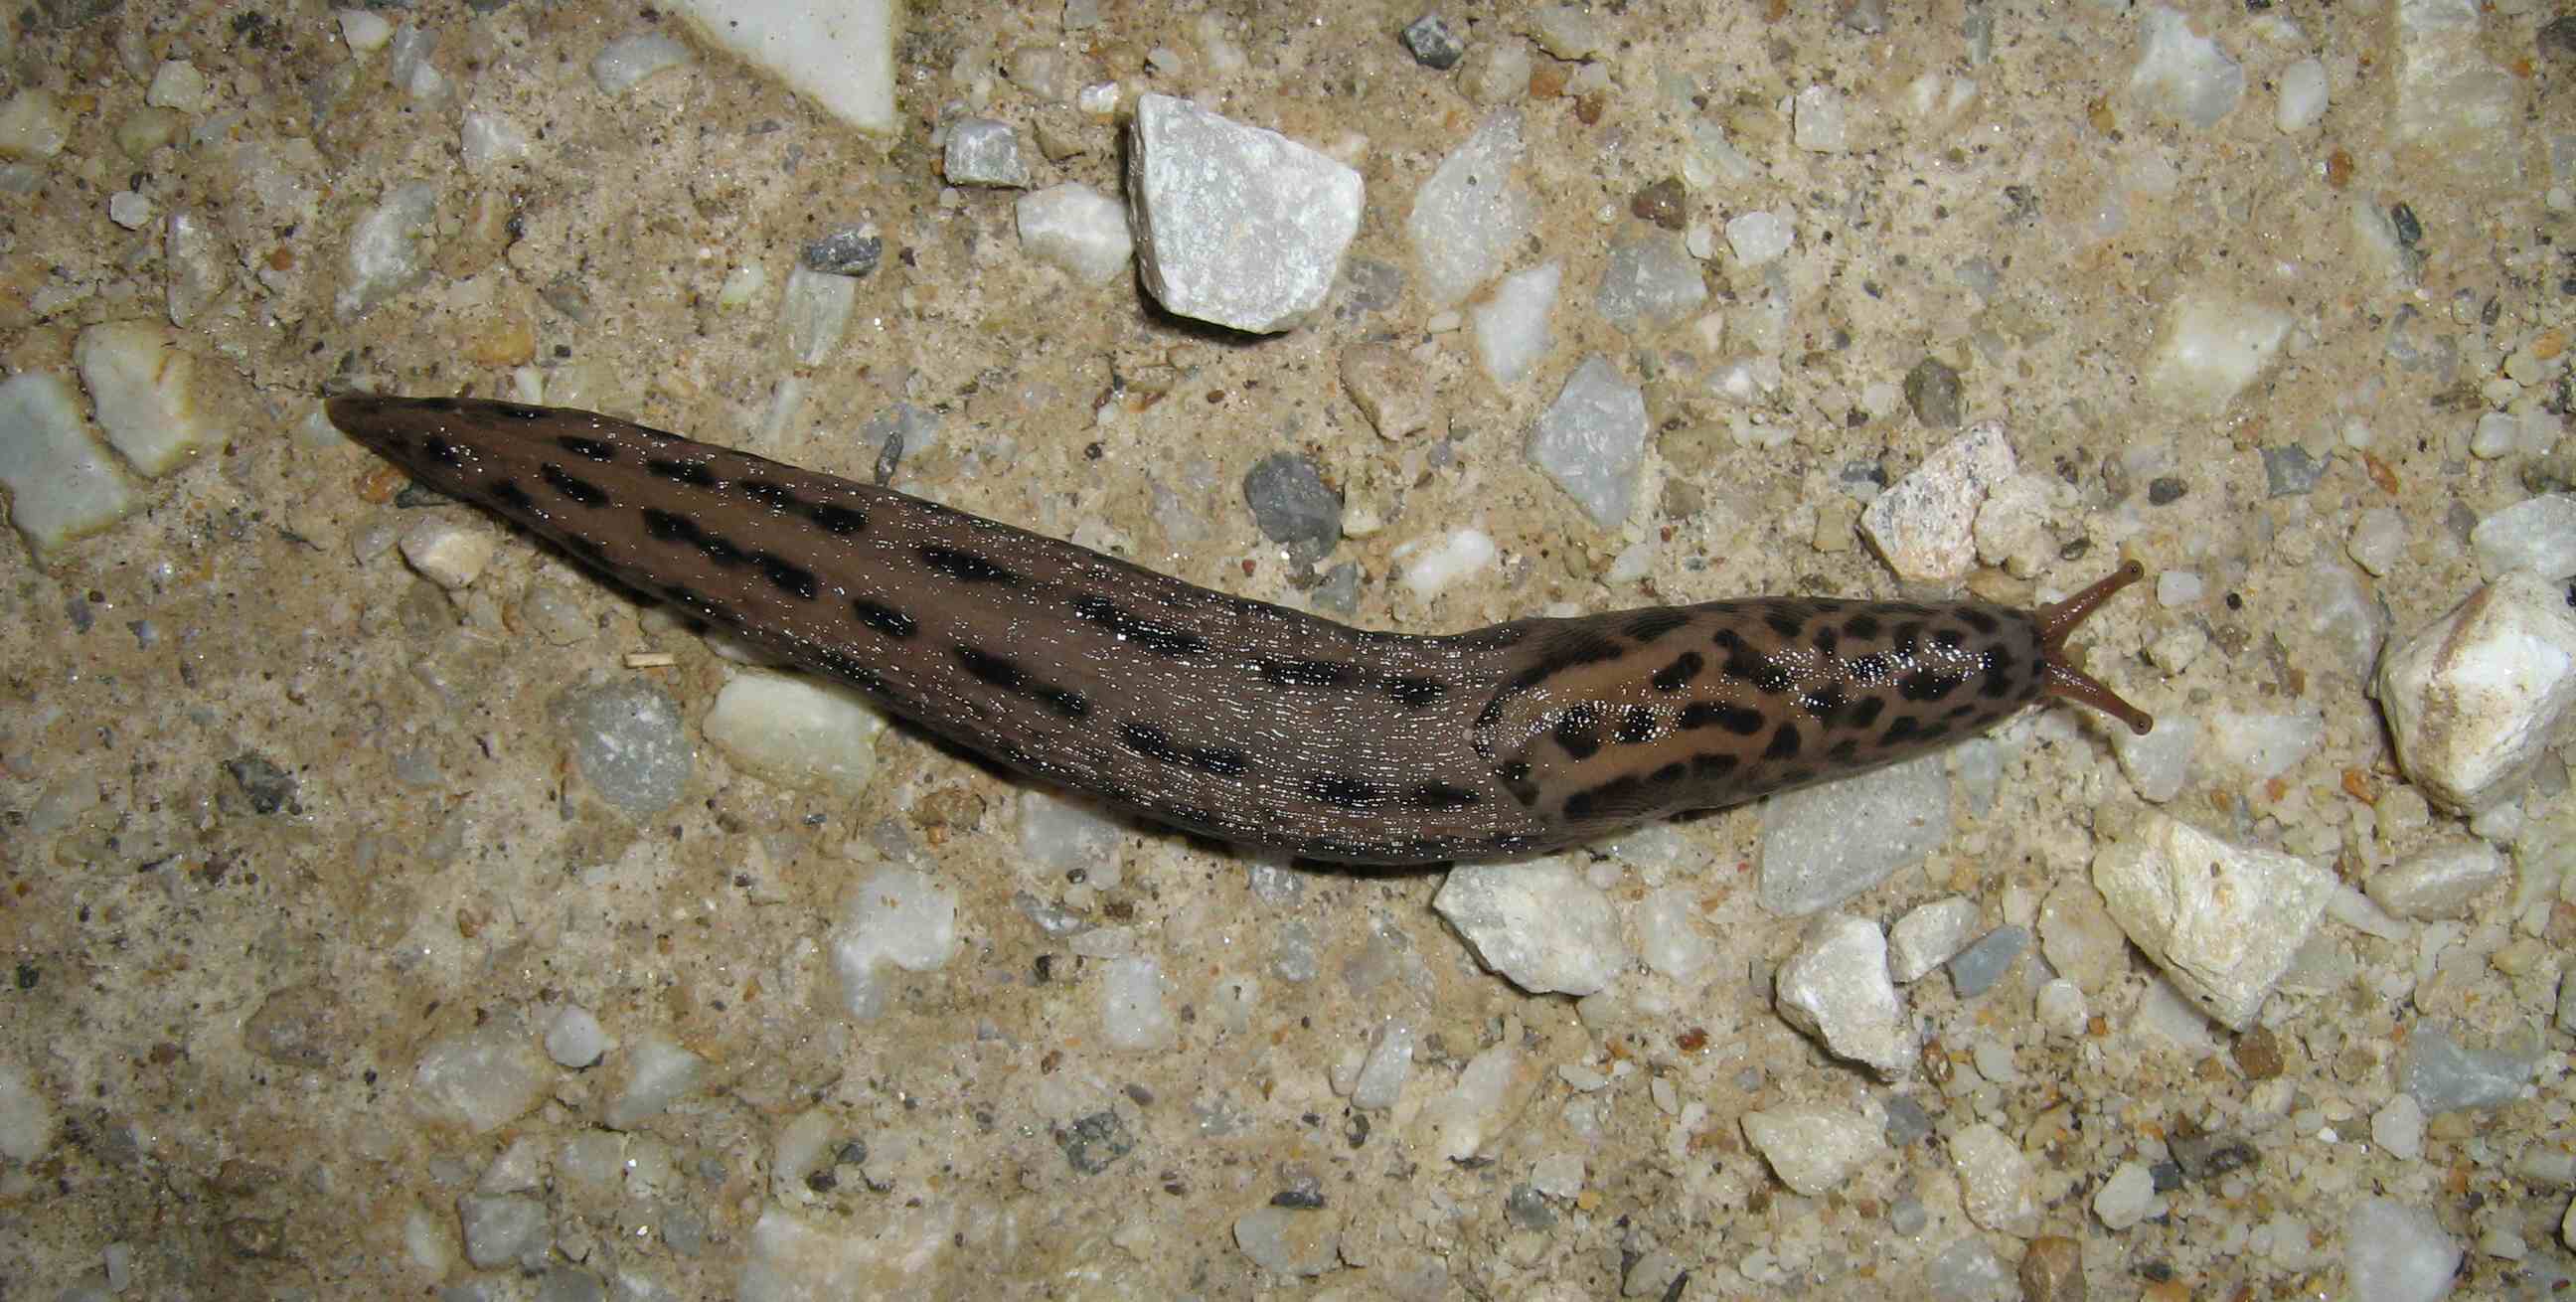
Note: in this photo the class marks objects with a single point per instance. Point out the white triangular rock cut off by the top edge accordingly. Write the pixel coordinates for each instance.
(838, 55)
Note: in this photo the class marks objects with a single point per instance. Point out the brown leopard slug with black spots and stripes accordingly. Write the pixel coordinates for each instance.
(1235, 718)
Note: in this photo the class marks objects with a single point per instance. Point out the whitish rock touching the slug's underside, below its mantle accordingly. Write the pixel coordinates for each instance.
(1539, 924)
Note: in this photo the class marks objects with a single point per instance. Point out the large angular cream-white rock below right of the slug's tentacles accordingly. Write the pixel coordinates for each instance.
(2222, 922)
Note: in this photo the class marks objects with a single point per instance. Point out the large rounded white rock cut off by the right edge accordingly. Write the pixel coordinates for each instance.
(2477, 697)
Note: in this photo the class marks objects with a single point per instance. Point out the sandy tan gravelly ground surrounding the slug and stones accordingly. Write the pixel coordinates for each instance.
(225, 999)
